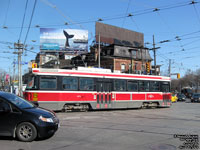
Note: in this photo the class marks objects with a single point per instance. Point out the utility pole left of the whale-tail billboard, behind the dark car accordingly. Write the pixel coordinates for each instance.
(19, 46)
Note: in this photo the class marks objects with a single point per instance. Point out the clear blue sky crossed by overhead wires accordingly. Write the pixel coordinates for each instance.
(175, 25)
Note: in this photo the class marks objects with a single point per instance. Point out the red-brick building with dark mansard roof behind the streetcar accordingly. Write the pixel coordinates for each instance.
(117, 58)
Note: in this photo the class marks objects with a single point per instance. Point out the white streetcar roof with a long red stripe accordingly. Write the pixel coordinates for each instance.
(95, 73)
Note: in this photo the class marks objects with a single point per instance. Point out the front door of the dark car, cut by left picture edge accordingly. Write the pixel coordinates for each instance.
(9, 117)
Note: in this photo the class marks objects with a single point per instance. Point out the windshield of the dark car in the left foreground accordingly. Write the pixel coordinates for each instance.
(18, 101)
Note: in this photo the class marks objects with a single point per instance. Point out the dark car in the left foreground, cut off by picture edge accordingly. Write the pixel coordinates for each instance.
(22, 119)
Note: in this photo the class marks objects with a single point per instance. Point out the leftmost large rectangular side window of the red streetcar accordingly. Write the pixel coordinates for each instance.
(48, 82)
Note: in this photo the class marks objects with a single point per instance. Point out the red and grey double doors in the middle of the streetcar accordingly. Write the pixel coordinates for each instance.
(103, 94)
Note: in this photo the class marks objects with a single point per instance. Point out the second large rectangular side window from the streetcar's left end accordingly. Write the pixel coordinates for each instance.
(70, 83)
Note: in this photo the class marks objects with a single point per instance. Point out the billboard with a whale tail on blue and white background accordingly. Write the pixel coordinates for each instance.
(63, 39)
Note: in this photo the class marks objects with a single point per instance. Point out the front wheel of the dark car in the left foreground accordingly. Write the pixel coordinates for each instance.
(26, 132)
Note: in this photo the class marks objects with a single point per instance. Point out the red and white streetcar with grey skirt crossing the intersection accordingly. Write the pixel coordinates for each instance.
(93, 88)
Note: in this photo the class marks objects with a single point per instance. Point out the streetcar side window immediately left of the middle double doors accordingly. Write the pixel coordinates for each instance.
(86, 84)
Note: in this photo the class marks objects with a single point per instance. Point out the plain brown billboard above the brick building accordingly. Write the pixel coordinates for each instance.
(119, 36)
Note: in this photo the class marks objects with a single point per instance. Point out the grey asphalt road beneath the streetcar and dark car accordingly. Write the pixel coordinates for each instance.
(135, 129)
